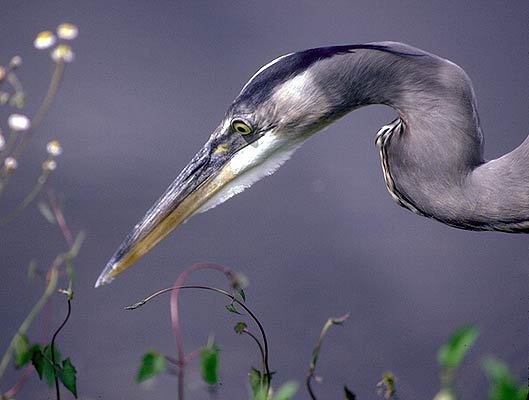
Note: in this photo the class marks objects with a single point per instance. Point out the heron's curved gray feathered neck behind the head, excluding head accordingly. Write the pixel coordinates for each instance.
(437, 163)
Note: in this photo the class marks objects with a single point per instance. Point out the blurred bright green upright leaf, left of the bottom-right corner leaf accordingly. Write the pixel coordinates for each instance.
(451, 354)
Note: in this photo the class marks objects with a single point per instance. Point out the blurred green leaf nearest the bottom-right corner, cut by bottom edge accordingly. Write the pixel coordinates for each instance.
(503, 385)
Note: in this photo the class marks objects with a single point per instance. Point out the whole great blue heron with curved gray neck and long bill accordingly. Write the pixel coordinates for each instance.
(431, 155)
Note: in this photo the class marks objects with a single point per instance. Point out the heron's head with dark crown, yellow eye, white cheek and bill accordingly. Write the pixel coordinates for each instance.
(276, 111)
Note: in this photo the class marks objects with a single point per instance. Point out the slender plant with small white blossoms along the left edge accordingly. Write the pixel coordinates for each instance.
(46, 359)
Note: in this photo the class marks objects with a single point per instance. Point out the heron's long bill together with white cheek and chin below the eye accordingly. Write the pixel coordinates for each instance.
(225, 166)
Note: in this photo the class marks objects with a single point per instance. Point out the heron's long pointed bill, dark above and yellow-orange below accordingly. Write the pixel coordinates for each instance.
(204, 176)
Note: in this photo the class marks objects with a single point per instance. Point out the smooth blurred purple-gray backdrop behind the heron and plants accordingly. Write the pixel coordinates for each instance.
(321, 237)
